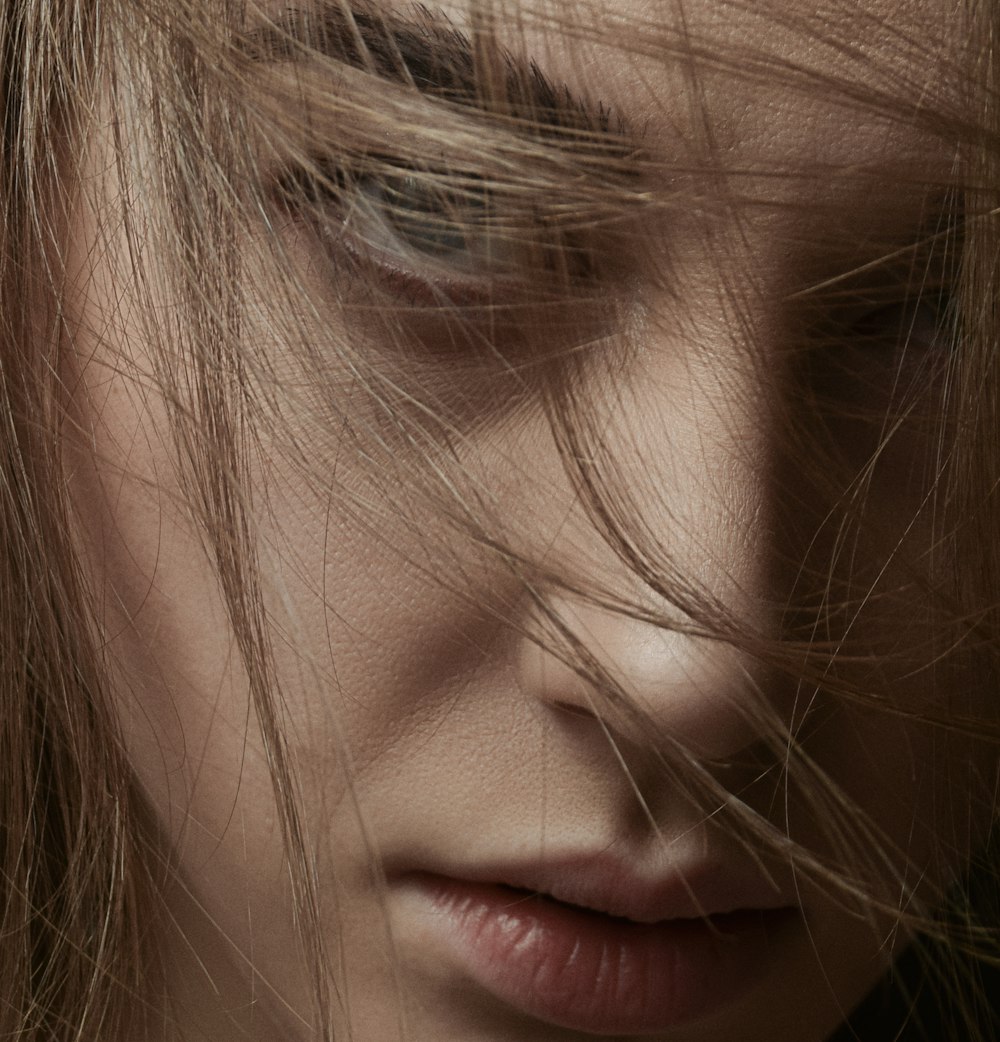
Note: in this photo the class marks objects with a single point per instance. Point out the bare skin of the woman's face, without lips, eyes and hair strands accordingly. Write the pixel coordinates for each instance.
(428, 727)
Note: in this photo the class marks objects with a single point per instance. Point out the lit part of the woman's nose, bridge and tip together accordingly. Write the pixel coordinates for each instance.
(689, 443)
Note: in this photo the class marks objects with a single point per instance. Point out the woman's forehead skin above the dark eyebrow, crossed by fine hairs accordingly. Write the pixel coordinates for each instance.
(772, 81)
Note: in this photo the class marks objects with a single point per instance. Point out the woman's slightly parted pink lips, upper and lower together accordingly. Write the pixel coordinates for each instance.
(587, 946)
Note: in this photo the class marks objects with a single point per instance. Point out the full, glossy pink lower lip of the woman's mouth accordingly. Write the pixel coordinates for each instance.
(591, 973)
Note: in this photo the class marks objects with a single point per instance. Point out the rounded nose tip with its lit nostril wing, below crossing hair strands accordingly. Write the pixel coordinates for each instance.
(705, 694)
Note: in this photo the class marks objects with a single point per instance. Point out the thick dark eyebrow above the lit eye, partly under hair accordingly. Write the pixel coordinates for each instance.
(426, 52)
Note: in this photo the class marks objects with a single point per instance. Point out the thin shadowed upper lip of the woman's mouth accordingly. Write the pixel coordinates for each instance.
(608, 884)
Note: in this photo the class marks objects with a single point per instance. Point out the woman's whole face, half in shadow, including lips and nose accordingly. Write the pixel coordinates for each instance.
(447, 767)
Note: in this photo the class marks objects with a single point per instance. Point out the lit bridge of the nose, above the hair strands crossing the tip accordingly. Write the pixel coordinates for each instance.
(685, 453)
